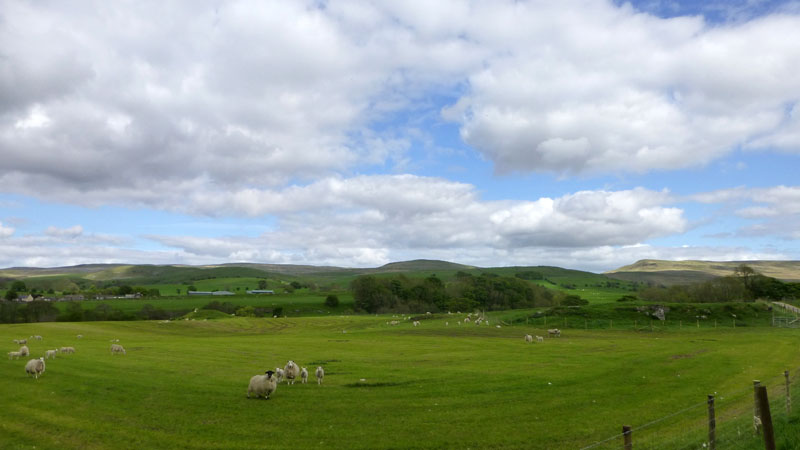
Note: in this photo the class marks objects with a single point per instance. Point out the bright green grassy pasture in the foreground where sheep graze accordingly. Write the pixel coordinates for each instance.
(182, 384)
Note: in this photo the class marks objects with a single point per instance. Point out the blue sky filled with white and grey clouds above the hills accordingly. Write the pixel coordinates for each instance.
(584, 134)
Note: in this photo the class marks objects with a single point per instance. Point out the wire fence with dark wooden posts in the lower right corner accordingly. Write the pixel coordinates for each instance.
(754, 417)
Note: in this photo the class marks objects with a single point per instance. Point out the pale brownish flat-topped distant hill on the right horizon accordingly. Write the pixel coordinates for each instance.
(686, 272)
